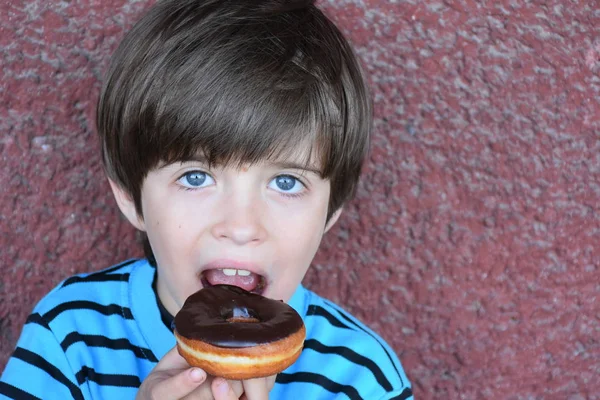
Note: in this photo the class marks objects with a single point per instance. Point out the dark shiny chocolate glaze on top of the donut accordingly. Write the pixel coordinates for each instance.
(204, 316)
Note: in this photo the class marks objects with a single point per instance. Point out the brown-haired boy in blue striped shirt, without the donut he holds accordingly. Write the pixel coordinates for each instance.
(232, 134)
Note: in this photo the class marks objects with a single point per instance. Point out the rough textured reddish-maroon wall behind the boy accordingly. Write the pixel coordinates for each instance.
(471, 245)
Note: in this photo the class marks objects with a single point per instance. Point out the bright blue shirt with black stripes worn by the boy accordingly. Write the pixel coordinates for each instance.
(98, 335)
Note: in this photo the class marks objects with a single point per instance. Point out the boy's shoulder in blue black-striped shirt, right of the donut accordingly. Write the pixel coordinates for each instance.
(358, 360)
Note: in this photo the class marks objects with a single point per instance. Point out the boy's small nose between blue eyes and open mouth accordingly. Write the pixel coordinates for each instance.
(241, 221)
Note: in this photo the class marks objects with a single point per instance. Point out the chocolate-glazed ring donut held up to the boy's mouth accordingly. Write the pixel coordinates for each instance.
(232, 333)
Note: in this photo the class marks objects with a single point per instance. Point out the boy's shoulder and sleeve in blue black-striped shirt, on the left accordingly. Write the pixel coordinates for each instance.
(72, 334)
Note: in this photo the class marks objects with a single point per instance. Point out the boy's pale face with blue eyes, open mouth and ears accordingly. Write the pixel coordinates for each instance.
(257, 227)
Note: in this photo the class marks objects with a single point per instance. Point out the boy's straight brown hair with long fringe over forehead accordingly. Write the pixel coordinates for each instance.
(238, 80)
